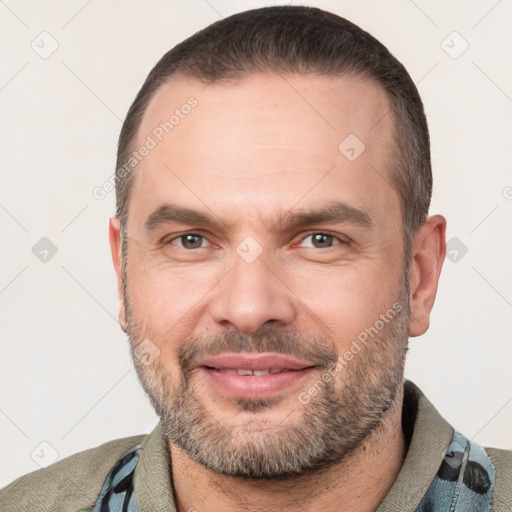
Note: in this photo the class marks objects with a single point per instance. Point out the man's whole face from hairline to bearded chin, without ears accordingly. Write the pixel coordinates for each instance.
(302, 253)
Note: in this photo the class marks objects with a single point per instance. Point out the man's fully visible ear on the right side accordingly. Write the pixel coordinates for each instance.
(428, 253)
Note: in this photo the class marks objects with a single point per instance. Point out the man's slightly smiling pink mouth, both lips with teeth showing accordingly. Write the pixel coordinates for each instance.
(250, 375)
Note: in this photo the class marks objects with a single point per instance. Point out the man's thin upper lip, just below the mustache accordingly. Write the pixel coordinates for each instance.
(253, 361)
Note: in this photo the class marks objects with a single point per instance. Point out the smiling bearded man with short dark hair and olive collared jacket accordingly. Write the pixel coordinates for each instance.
(274, 253)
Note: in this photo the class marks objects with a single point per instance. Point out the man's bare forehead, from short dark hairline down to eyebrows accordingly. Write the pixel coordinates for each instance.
(265, 139)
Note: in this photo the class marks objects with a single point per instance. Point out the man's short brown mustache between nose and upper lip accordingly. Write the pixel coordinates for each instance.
(290, 343)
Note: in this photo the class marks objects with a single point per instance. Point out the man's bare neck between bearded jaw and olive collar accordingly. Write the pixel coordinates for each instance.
(358, 483)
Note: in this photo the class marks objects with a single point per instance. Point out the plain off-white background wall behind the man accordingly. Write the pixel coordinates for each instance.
(66, 379)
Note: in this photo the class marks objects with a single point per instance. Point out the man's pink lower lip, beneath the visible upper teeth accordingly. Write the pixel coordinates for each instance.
(251, 386)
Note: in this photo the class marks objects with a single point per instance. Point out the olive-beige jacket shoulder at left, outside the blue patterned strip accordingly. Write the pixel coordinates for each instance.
(70, 484)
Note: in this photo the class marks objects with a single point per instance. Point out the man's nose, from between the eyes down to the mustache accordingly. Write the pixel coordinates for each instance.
(251, 295)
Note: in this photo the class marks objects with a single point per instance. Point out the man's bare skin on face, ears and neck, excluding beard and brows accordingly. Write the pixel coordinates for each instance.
(253, 149)
